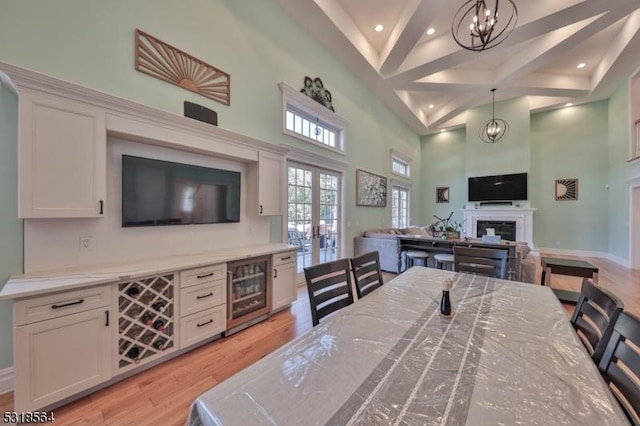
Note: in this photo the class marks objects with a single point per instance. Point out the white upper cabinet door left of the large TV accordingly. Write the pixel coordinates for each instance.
(62, 157)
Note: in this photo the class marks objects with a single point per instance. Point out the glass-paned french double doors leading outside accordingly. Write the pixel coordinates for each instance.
(313, 214)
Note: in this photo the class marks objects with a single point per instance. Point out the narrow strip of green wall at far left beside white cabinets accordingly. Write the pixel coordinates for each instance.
(10, 226)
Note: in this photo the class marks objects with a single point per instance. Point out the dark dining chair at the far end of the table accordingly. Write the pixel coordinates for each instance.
(481, 261)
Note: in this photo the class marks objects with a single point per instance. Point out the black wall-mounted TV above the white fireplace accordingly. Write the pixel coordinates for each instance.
(511, 187)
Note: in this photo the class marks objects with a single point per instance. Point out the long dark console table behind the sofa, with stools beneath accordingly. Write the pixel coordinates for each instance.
(435, 245)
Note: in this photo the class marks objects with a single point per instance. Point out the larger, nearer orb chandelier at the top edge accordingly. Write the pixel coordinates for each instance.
(485, 29)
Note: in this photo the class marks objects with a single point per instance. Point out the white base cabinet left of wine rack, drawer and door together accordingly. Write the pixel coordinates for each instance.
(66, 352)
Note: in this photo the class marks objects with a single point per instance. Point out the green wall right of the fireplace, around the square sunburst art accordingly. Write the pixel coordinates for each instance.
(570, 143)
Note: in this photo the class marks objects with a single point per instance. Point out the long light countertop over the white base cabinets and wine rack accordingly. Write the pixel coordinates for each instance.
(39, 283)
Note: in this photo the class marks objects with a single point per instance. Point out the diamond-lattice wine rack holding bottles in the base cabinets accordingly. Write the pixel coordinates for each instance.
(145, 318)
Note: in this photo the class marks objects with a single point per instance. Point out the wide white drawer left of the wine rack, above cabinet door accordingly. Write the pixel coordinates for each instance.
(27, 311)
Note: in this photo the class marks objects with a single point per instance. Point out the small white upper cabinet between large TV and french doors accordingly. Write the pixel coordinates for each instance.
(266, 187)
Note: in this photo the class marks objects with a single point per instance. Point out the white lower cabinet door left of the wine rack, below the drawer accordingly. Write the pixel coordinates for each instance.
(60, 357)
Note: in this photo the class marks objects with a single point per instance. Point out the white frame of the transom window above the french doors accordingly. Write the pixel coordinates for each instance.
(302, 106)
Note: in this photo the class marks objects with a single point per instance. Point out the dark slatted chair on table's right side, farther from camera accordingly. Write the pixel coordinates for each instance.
(595, 316)
